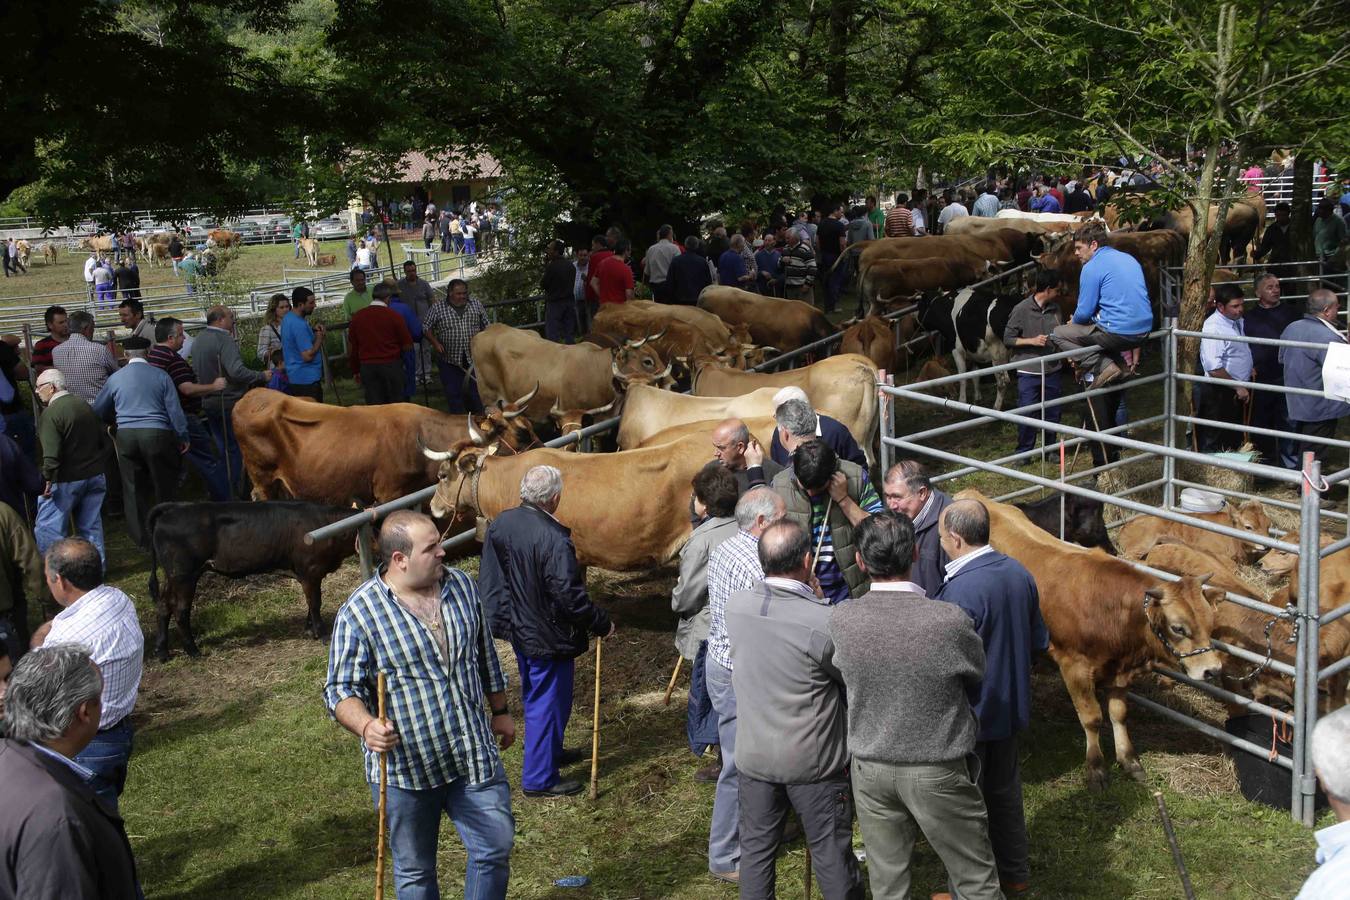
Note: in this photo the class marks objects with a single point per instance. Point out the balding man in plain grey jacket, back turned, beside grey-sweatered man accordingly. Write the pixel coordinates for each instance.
(790, 748)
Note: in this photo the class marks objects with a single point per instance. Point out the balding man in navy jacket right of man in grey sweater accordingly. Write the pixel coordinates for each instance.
(1001, 597)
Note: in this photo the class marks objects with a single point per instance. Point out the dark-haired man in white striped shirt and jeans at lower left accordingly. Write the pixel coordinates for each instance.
(102, 619)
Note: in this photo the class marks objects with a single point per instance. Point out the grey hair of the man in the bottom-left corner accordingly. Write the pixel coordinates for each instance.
(45, 690)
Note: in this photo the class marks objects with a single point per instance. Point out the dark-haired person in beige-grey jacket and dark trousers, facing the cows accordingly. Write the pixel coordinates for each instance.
(715, 507)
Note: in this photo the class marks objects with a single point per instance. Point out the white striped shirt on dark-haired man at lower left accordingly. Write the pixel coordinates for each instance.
(105, 621)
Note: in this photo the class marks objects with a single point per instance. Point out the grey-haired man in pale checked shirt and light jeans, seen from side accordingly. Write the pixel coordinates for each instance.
(734, 566)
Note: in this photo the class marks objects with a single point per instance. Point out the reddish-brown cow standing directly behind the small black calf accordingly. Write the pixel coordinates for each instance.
(335, 455)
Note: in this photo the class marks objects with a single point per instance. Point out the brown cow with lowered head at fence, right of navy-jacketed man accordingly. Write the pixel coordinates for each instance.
(1109, 623)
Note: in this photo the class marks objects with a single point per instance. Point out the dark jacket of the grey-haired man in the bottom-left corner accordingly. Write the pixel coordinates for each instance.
(60, 841)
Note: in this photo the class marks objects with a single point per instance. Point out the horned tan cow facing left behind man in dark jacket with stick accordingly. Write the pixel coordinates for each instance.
(628, 512)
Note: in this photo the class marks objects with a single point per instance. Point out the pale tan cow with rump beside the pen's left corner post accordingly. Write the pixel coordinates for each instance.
(842, 387)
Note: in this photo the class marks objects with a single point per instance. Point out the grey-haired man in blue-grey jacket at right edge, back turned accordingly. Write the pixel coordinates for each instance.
(1313, 416)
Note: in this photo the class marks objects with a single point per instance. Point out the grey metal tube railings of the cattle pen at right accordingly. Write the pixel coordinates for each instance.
(1306, 617)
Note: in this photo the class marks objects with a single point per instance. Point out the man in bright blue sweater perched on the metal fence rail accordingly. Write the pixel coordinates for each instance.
(1114, 312)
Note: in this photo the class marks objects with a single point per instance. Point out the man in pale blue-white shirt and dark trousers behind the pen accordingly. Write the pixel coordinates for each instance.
(1228, 360)
